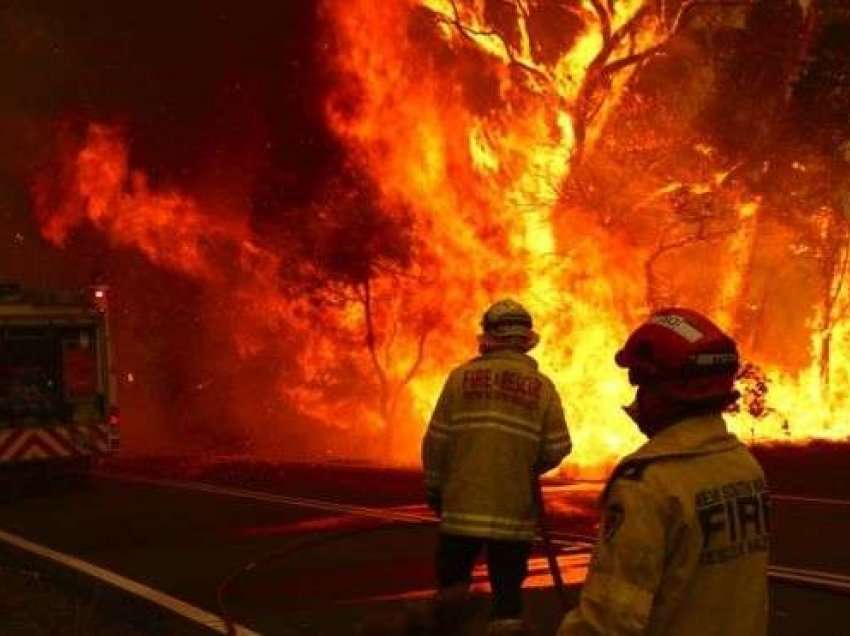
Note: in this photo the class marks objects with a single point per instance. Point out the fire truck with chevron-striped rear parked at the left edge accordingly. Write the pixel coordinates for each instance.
(57, 387)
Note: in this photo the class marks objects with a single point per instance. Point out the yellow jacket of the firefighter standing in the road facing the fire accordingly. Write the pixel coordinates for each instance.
(498, 422)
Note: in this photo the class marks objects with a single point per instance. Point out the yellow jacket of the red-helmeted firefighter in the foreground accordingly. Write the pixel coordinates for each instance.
(684, 543)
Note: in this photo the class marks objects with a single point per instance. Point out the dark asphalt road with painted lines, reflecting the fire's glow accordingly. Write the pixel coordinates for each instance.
(185, 539)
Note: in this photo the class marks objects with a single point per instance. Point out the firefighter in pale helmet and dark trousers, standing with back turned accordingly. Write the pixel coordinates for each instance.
(498, 424)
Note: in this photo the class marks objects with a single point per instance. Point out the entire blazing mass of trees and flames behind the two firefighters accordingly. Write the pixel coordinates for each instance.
(595, 158)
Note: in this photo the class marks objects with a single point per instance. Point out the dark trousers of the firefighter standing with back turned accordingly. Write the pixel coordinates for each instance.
(507, 567)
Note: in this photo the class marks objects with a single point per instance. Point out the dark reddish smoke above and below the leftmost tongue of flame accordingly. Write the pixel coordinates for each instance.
(219, 99)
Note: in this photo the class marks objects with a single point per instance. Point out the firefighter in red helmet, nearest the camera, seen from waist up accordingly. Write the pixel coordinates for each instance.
(684, 540)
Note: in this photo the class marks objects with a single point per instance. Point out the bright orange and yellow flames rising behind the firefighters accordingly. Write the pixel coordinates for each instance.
(477, 122)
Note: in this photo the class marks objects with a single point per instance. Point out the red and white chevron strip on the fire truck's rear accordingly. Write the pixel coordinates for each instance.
(28, 444)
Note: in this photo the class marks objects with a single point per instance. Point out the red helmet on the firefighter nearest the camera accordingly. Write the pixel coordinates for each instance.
(683, 353)
